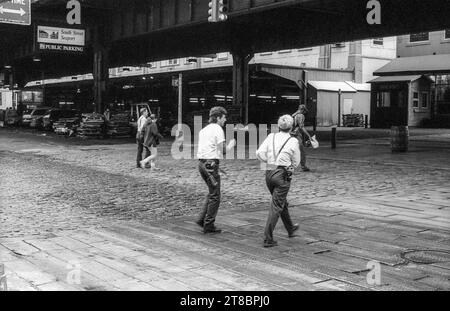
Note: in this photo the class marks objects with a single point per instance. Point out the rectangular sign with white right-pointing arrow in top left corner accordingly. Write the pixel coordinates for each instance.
(16, 12)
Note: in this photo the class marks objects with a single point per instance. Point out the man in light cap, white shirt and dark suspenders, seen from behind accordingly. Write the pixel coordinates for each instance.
(281, 153)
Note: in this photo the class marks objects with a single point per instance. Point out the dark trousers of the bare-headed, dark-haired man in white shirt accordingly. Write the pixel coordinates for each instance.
(211, 206)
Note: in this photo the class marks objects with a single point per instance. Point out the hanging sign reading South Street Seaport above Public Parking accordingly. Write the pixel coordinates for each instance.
(60, 39)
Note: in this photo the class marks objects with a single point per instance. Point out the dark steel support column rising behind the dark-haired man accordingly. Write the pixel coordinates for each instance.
(241, 59)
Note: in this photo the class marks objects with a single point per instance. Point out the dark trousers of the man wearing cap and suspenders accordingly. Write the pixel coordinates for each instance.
(278, 185)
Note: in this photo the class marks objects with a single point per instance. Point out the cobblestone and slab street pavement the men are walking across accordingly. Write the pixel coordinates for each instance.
(88, 203)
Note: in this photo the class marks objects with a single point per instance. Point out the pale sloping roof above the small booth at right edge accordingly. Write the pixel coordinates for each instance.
(418, 65)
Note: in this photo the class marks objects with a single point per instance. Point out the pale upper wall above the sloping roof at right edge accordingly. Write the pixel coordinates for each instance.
(437, 44)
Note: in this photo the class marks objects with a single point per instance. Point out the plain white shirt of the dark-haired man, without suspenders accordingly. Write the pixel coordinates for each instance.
(208, 140)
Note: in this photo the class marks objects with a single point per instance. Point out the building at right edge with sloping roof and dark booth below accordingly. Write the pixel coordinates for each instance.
(422, 72)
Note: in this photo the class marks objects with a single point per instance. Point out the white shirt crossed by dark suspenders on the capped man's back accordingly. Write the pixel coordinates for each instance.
(289, 156)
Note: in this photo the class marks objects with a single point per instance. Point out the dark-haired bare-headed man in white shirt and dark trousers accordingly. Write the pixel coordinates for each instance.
(210, 150)
